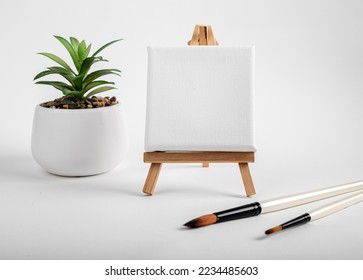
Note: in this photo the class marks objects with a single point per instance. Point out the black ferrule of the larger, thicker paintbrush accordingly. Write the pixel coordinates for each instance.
(241, 212)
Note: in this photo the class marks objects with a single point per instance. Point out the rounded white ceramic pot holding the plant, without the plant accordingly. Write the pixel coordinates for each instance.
(79, 142)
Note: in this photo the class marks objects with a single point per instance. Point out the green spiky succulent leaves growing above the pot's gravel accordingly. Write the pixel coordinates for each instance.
(81, 84)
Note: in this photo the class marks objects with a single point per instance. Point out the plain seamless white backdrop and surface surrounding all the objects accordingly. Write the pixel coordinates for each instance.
(309, 120)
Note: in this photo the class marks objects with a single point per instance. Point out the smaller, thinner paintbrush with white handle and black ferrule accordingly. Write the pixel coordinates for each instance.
(319, 213)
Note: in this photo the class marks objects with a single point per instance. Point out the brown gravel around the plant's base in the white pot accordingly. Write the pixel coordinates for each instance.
(70, 102)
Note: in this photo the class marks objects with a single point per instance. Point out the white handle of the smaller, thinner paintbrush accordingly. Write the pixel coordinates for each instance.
(336, 206)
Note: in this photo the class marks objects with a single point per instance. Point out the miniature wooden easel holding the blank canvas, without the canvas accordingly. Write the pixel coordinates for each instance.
(203, 35)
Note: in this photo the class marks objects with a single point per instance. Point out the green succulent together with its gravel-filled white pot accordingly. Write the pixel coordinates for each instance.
(78, 134)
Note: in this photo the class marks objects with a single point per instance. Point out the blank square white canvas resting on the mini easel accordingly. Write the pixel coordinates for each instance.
(200, 98)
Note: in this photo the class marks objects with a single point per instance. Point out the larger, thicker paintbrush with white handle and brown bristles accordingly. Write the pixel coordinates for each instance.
(271, 205)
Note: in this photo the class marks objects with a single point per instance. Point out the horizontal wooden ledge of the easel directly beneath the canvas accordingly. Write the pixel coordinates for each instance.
(191, 157)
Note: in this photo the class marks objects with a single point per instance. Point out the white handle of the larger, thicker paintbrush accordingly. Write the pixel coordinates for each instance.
(289, 201)
